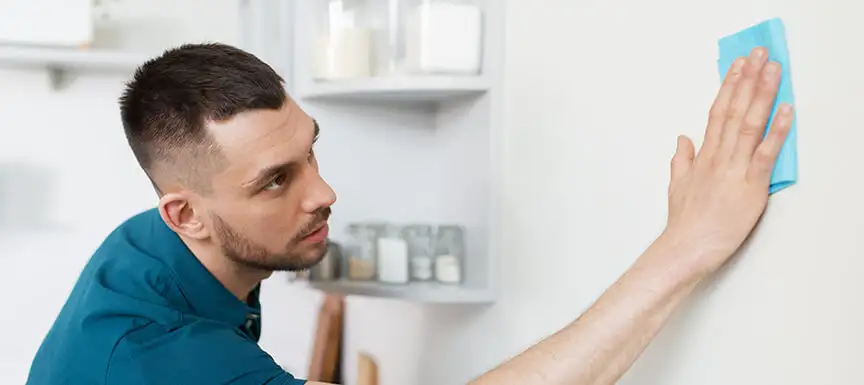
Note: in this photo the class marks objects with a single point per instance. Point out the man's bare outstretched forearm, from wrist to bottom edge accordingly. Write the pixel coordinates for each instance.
(603, 343)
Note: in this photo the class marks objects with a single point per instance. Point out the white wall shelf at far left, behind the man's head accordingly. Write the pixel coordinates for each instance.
(62, 61)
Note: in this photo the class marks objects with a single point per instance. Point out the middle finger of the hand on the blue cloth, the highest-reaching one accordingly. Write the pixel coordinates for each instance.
(742, 98)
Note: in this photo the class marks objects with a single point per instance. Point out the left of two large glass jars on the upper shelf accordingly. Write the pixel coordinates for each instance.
(343, 43)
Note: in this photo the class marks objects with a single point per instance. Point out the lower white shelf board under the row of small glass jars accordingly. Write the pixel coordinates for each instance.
(415, 291)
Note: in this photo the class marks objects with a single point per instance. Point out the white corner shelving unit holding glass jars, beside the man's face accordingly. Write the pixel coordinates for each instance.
(437, 164)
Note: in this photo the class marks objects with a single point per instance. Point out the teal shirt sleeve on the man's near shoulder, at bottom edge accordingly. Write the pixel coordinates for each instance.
(202, 352)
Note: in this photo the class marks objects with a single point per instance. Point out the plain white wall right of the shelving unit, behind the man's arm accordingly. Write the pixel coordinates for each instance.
(599, 90)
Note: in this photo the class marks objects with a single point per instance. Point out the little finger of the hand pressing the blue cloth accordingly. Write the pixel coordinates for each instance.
(765, 155)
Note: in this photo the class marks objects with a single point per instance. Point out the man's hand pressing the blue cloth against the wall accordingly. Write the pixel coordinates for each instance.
(716, 199)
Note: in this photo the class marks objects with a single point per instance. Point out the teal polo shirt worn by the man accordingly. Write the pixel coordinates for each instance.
(145, 311)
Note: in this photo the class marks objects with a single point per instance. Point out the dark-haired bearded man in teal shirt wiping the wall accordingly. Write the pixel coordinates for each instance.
(171, 296)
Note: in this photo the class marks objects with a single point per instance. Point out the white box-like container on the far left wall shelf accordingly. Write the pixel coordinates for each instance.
(62, 23)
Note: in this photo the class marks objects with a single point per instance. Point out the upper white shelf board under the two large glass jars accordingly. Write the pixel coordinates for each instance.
(421, 89)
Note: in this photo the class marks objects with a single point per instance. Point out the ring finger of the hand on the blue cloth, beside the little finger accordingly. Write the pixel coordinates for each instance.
(756, 119)
